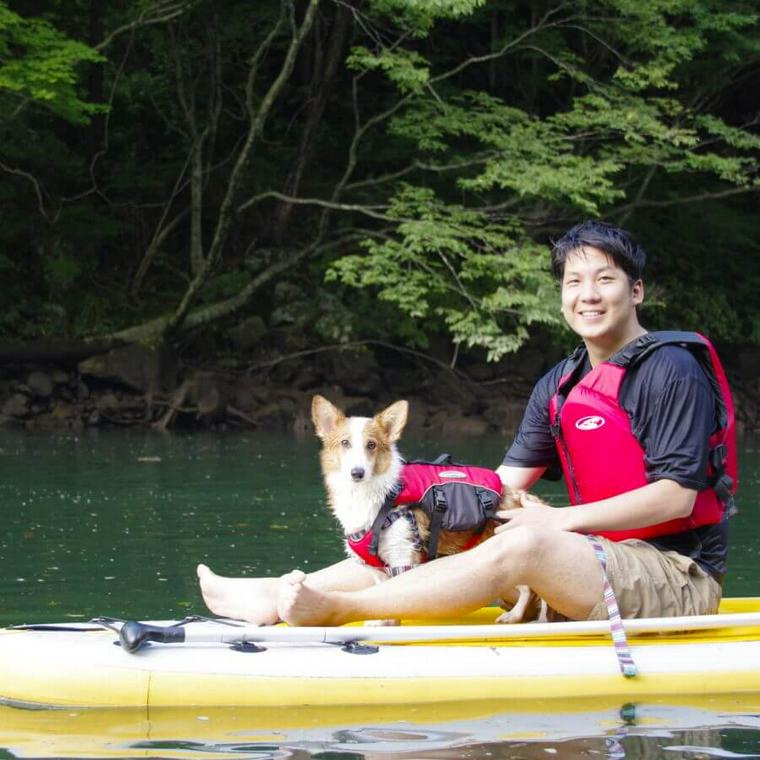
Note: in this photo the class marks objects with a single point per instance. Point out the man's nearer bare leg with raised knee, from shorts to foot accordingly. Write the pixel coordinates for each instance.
(560, 567)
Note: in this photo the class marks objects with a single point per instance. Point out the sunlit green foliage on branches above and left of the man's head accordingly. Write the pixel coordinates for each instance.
(473, 270)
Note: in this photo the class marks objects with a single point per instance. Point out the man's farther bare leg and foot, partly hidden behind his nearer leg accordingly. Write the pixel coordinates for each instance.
(255, 599)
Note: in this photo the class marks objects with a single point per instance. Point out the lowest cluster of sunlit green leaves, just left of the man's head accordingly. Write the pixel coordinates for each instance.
(484, 278)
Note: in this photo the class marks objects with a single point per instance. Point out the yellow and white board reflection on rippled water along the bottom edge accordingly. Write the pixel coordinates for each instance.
(544, 730)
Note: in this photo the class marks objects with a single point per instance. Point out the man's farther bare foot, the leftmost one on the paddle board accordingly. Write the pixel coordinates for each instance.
(250, 599)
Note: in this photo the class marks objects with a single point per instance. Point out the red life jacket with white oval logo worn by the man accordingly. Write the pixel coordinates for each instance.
(601, 457)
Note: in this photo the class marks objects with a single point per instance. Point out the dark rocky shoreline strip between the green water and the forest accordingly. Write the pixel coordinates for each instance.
(139, 387)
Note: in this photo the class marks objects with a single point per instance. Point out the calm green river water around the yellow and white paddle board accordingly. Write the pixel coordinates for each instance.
(113, 523)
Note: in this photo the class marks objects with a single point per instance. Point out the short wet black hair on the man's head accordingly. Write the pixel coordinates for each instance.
(617, 243)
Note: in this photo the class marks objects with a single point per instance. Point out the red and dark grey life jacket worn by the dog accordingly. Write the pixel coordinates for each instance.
(456, 497)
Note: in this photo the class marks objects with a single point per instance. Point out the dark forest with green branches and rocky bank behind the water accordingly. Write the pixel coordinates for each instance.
(202, 201)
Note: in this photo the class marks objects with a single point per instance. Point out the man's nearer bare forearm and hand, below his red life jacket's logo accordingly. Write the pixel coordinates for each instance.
(653, 503)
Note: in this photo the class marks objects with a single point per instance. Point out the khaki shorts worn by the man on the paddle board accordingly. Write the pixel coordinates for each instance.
(652, 583)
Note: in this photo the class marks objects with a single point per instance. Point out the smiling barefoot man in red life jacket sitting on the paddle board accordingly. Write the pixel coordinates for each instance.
(641, 425)
